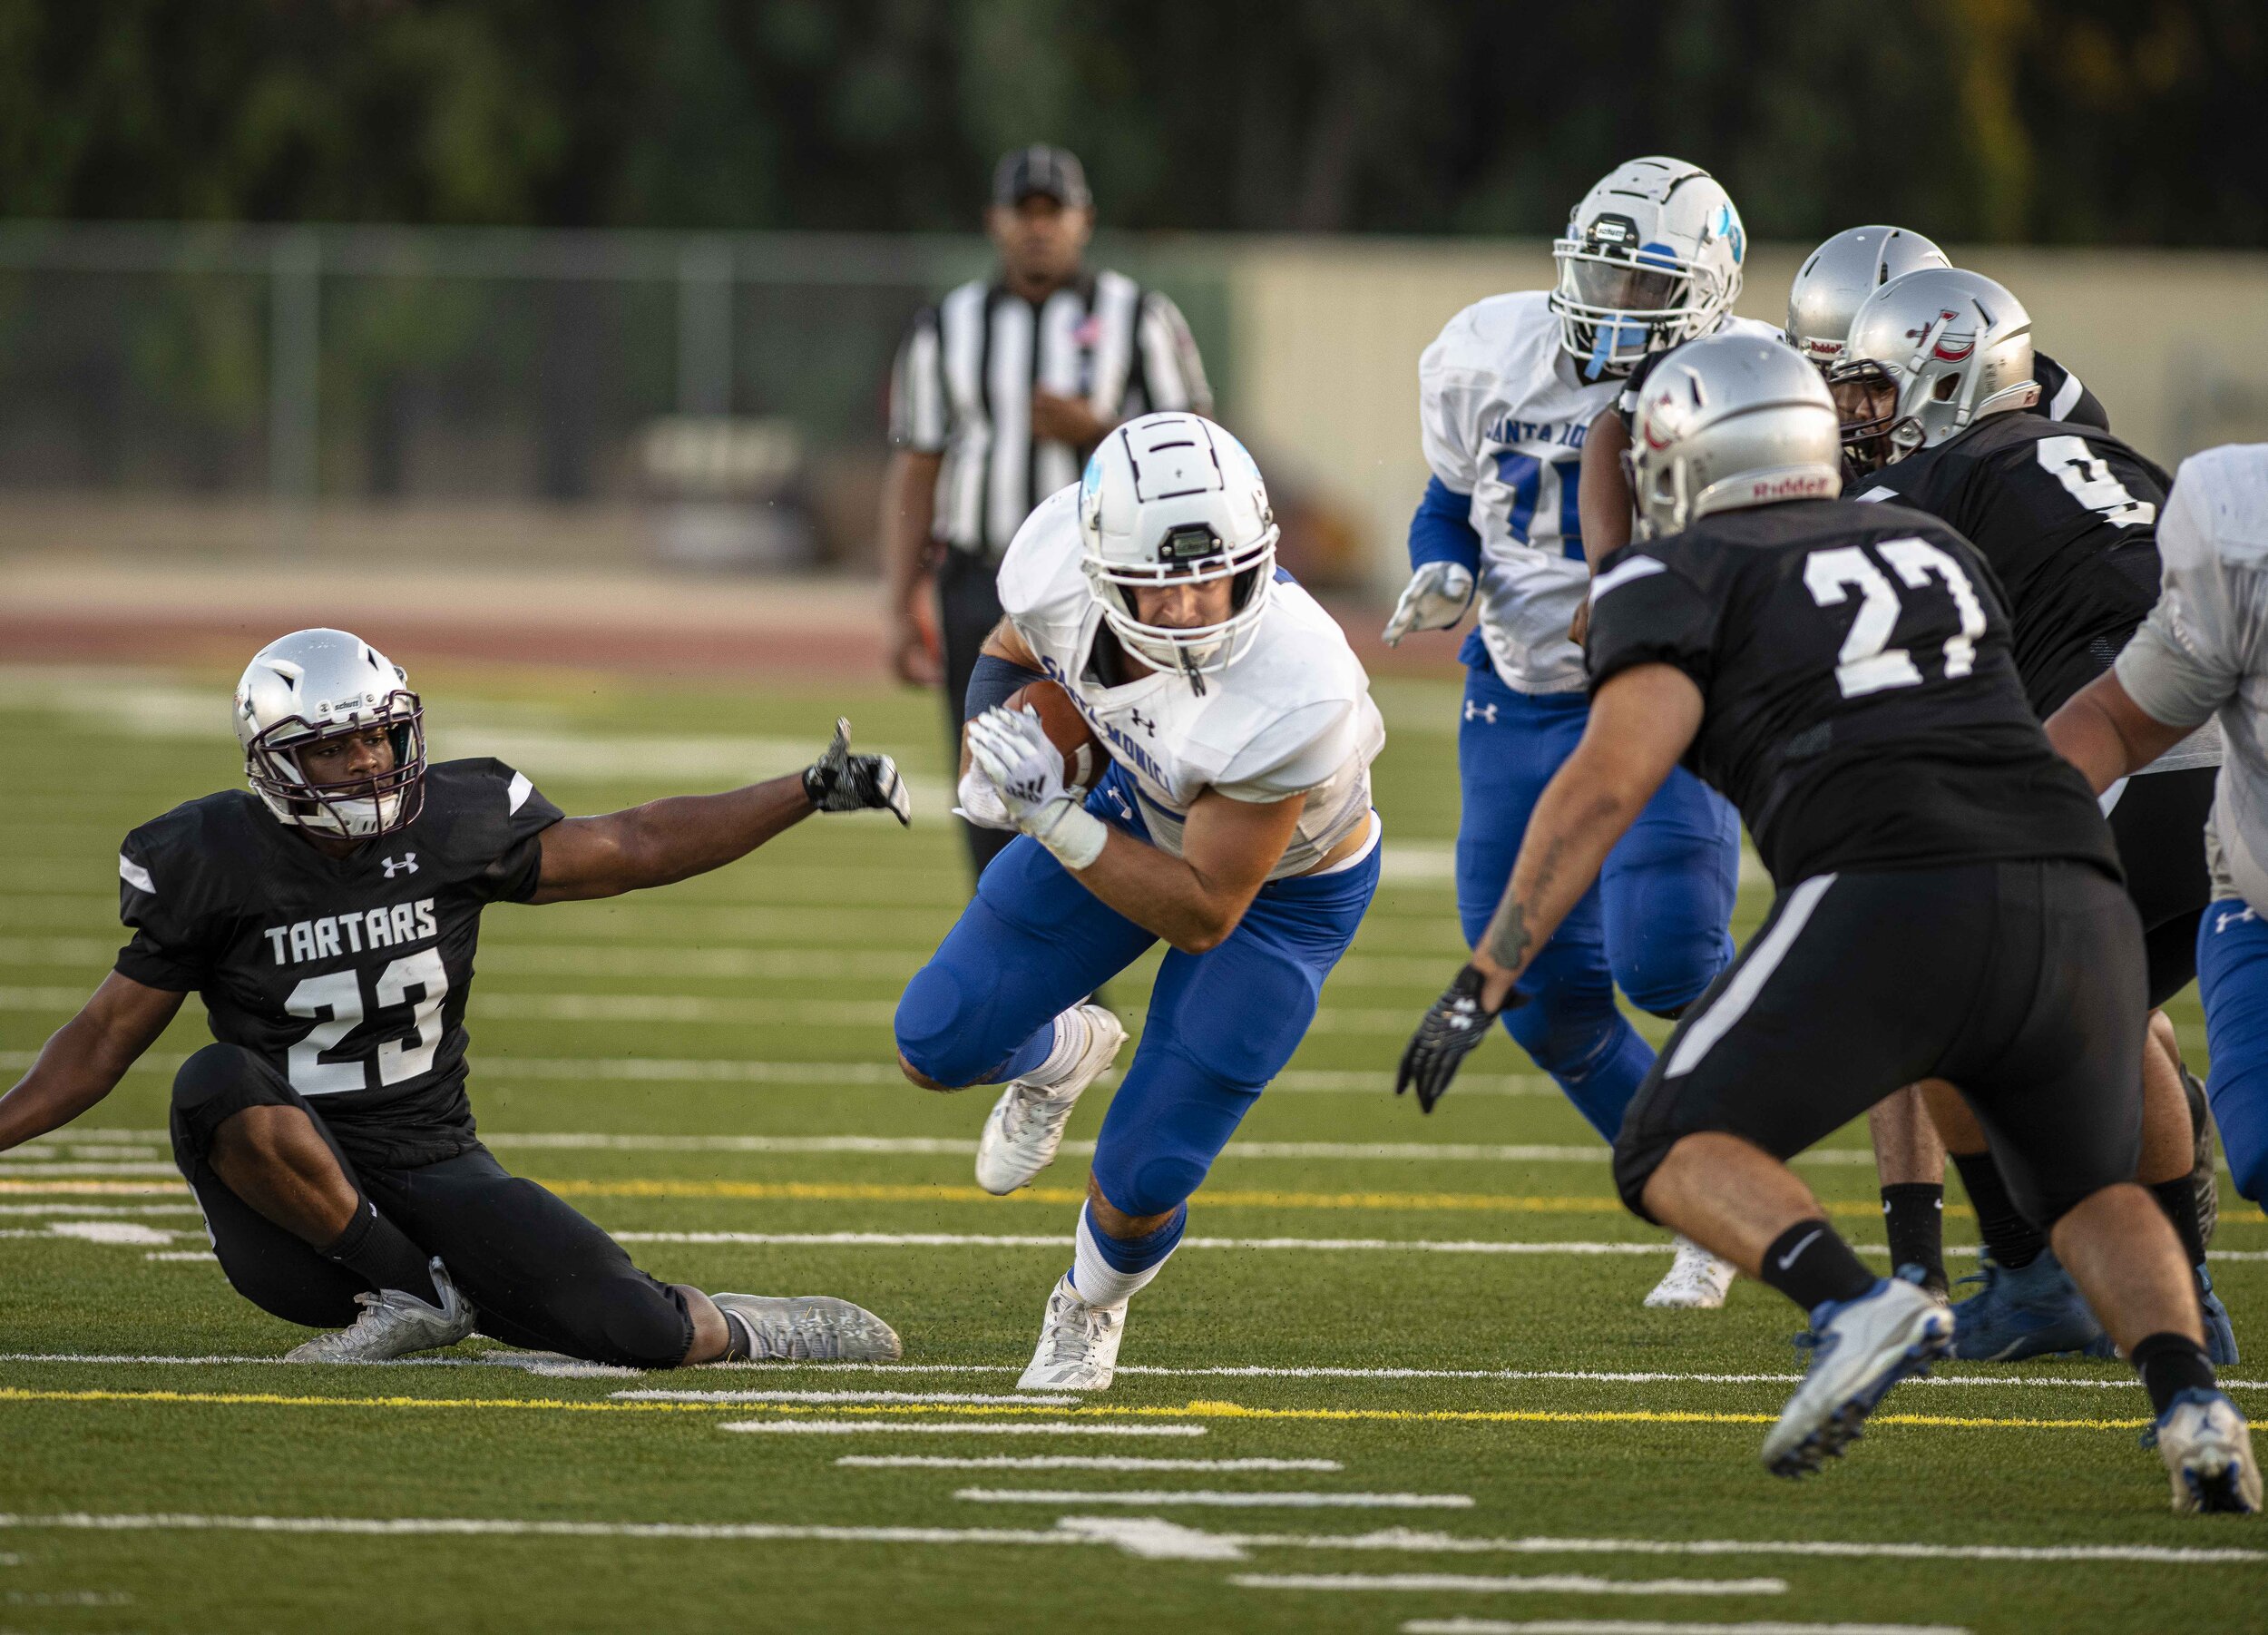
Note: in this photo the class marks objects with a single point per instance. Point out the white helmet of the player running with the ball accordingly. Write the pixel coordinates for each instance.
(1176, 500)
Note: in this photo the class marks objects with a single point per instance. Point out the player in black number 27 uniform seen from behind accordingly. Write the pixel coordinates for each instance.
(1845, 677)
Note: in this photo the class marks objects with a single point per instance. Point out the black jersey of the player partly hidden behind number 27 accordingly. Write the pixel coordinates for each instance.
(2067, 516)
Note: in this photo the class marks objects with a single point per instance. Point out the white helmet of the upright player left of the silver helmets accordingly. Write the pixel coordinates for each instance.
(1652, 257)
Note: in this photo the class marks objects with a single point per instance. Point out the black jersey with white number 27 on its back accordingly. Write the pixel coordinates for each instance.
(1861, 702)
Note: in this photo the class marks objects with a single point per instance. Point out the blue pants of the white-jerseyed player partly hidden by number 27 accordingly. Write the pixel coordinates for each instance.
(1655, 924)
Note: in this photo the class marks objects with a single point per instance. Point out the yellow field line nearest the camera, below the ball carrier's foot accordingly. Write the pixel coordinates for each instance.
(967, 1412)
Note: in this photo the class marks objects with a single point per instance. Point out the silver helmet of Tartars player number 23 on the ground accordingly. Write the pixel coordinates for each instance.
(316, 686)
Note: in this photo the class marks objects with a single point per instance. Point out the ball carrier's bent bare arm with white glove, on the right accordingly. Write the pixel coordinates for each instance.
(1194, 901)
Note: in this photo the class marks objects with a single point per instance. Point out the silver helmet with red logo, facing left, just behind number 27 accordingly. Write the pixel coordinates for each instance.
(1936, 353)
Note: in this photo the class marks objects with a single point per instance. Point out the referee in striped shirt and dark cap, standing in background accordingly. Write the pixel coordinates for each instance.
(1001, 393)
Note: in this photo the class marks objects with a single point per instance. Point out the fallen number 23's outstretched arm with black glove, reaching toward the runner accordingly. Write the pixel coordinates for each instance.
(688, 836)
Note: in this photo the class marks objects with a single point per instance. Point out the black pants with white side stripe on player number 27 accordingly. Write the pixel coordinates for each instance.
(2020, 983)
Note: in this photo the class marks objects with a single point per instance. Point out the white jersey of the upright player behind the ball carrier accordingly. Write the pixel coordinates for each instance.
(1503, 414)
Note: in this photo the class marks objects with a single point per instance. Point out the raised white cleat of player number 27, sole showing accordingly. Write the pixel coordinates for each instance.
(1861, 1350)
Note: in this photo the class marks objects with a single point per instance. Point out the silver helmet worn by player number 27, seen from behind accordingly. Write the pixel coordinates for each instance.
(1729, 423)
